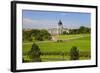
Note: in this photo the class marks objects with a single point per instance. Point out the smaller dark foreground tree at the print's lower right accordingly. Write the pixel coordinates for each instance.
(74, 53)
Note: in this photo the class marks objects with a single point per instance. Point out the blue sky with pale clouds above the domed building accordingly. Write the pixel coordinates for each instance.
(49, 19)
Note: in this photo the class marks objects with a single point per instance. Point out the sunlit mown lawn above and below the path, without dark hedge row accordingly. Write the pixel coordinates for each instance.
(82, 43)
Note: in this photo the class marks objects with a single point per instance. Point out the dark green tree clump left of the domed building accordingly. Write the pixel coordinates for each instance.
(39, 35)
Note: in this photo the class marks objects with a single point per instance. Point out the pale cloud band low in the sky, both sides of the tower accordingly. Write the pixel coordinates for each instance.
(47, 24)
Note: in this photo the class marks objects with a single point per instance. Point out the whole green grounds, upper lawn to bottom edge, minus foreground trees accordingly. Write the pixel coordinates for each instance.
(83, 44)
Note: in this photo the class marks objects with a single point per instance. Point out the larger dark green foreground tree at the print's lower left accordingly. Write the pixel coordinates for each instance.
(34, 53)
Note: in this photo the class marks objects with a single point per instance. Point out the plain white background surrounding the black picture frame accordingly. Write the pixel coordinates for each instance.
(5, 37)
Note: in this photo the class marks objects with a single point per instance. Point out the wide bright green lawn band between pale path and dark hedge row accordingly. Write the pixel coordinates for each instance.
(82, 43)
